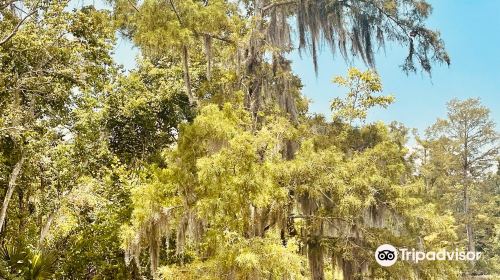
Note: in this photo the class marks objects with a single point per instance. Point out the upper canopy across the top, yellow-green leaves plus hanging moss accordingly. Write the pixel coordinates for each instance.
(238, 35)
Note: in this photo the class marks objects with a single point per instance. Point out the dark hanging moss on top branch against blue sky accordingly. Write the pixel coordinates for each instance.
(357, 28)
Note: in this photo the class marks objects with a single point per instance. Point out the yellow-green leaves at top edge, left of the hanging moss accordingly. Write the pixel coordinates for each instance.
(163, 26)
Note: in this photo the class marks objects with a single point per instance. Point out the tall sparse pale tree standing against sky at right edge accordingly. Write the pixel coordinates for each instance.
(458, 157)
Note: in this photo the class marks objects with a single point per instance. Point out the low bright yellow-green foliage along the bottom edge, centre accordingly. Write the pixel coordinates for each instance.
(244, 258)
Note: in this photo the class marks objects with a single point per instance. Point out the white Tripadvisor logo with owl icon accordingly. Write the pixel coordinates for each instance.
(387, 255)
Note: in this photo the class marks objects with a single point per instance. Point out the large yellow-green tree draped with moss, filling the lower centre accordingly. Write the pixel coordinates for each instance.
(231, 202)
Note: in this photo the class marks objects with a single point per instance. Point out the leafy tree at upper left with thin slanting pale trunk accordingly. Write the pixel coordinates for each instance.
(37, 80)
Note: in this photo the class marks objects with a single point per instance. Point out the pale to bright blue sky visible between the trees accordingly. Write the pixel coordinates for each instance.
(470, 30)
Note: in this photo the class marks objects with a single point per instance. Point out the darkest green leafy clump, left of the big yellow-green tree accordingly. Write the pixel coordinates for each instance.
(143, 110)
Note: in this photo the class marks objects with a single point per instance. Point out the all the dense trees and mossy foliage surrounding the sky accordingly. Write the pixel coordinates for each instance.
(203, 161)
